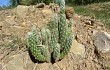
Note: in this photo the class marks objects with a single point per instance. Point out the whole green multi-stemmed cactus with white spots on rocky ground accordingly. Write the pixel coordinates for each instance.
(52, 43)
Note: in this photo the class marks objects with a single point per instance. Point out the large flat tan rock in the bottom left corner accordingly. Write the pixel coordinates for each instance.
(19, 62)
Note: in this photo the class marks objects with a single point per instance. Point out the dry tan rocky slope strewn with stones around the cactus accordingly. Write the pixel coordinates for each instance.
(89, 50)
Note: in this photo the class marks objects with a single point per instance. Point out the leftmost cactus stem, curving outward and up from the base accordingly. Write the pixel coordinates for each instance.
(32, 43)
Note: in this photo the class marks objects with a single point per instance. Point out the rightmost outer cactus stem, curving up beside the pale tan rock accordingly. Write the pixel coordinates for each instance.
(67, 47)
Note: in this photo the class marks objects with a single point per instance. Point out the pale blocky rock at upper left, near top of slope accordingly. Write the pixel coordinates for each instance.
(22, 10)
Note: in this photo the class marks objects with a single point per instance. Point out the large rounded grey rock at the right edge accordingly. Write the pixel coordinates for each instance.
(101, 41)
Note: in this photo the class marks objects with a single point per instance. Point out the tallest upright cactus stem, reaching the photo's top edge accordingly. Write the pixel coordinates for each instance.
(62, 24)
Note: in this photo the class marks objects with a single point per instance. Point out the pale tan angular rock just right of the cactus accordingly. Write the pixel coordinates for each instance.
(77, 48)
